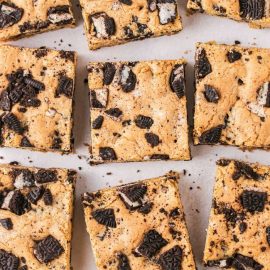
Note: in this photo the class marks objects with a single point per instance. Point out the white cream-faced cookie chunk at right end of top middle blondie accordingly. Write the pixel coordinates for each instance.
(167, 11)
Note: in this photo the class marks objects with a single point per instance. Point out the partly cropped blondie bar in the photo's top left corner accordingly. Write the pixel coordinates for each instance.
(19, 18)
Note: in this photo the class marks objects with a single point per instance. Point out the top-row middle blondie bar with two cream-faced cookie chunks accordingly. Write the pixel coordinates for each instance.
(113, 22)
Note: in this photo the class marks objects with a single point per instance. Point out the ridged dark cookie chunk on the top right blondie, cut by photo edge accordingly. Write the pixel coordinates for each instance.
(252, 9)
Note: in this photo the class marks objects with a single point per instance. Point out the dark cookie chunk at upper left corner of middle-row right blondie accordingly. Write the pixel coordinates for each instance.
(202, 65)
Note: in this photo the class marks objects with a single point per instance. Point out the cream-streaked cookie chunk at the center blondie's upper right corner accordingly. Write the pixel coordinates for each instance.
(177, 80)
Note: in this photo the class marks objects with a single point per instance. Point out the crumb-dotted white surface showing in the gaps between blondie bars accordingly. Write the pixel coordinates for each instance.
(196, 186)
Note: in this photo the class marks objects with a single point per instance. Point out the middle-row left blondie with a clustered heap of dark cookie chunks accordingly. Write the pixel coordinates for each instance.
(36, 98)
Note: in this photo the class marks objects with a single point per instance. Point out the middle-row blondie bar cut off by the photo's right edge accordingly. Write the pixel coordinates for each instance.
(232, 103)
